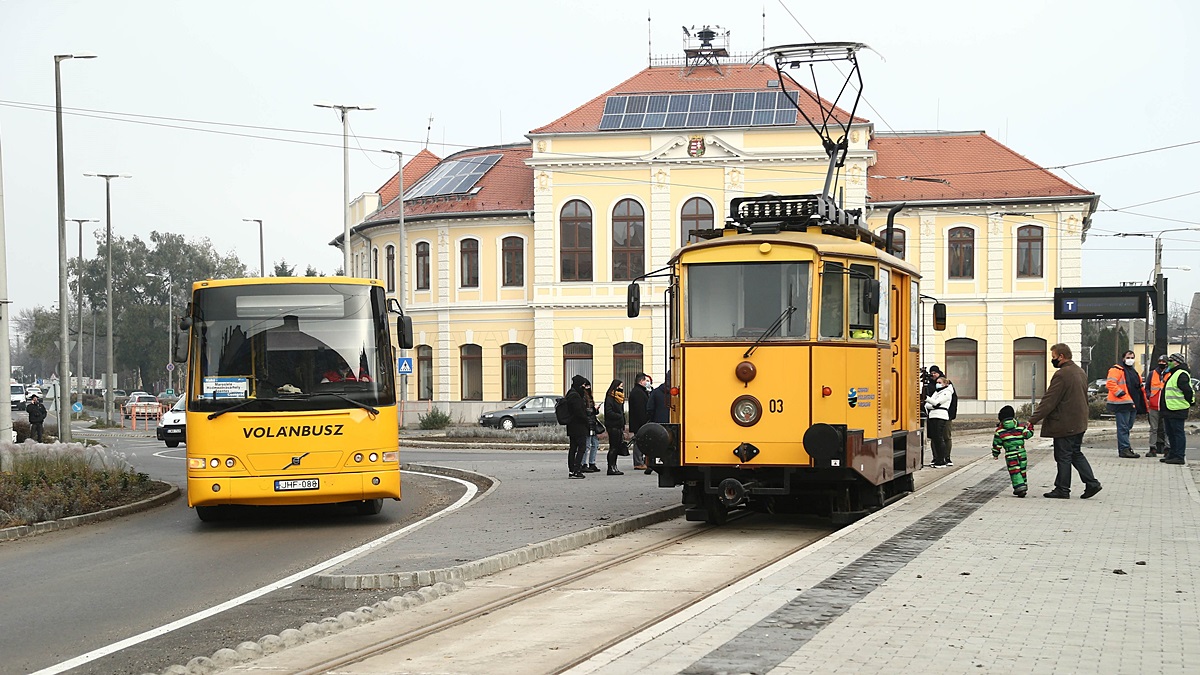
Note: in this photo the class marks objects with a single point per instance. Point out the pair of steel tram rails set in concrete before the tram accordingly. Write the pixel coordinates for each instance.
(381, 648)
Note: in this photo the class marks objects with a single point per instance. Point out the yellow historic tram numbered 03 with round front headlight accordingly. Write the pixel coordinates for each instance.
(795, 366)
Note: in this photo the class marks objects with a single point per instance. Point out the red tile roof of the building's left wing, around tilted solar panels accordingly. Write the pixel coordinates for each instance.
(507, 187)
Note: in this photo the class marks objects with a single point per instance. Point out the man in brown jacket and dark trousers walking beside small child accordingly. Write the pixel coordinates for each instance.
(1065, 410)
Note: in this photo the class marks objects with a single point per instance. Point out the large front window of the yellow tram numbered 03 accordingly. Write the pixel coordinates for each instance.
(743, 301)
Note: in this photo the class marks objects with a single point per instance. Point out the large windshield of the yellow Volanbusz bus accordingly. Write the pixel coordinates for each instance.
(290, 348)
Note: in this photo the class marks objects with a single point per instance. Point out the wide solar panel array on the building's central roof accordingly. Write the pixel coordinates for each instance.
(676, 111)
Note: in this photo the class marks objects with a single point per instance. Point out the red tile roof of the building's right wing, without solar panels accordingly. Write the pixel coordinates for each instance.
(977, 168)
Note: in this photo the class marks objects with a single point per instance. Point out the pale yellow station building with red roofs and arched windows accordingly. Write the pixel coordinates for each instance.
(518, 258)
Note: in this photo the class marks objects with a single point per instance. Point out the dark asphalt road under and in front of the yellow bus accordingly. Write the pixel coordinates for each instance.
(70, 593)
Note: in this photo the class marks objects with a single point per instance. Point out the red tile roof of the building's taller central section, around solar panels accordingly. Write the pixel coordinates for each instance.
(663, 80)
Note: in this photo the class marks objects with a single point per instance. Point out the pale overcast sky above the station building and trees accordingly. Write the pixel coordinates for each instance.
(1060, 82)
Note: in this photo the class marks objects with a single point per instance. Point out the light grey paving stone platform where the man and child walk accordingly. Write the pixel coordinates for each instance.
(1017, 586)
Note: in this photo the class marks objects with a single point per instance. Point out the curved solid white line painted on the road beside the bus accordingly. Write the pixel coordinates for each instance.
(271, 588)
